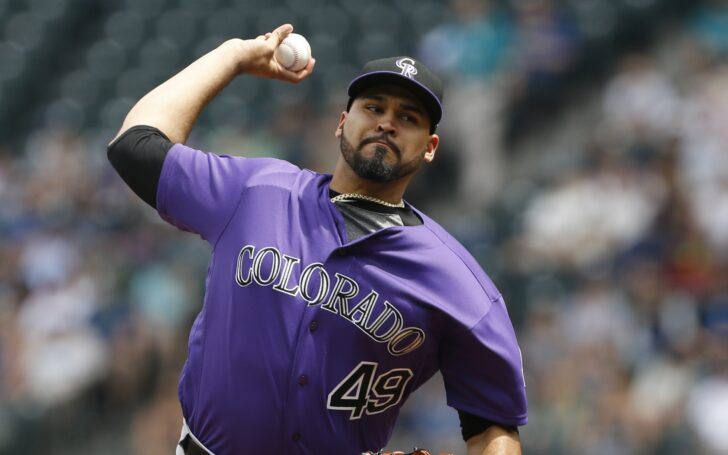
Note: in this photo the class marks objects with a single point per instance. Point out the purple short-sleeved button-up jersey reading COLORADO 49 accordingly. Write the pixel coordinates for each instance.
(310, 344)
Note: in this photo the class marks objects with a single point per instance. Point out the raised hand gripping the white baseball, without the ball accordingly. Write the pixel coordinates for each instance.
(257, 56)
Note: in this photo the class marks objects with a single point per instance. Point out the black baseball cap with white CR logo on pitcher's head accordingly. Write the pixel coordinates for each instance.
(407, 72)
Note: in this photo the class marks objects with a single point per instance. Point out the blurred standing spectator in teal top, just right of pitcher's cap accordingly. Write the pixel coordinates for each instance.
(471, 51)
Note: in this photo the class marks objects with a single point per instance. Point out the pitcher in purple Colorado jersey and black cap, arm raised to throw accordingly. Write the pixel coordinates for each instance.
(329, 298)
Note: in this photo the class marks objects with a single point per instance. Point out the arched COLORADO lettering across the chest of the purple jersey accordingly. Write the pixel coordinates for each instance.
(270, 267)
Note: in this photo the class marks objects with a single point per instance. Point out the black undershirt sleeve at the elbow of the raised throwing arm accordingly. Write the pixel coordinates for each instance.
(138, 156)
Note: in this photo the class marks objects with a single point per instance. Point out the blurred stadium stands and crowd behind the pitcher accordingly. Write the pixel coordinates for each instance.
(584, 162)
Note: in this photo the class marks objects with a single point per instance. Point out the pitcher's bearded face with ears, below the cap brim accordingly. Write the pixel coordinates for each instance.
(386, 134)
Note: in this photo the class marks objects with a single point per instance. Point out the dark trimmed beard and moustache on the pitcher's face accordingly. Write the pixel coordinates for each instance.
(376, 168)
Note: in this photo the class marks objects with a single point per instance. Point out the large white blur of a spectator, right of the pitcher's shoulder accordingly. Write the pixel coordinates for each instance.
(594, 214)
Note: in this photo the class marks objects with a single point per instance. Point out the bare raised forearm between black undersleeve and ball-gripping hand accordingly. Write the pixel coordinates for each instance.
(173, 106)
